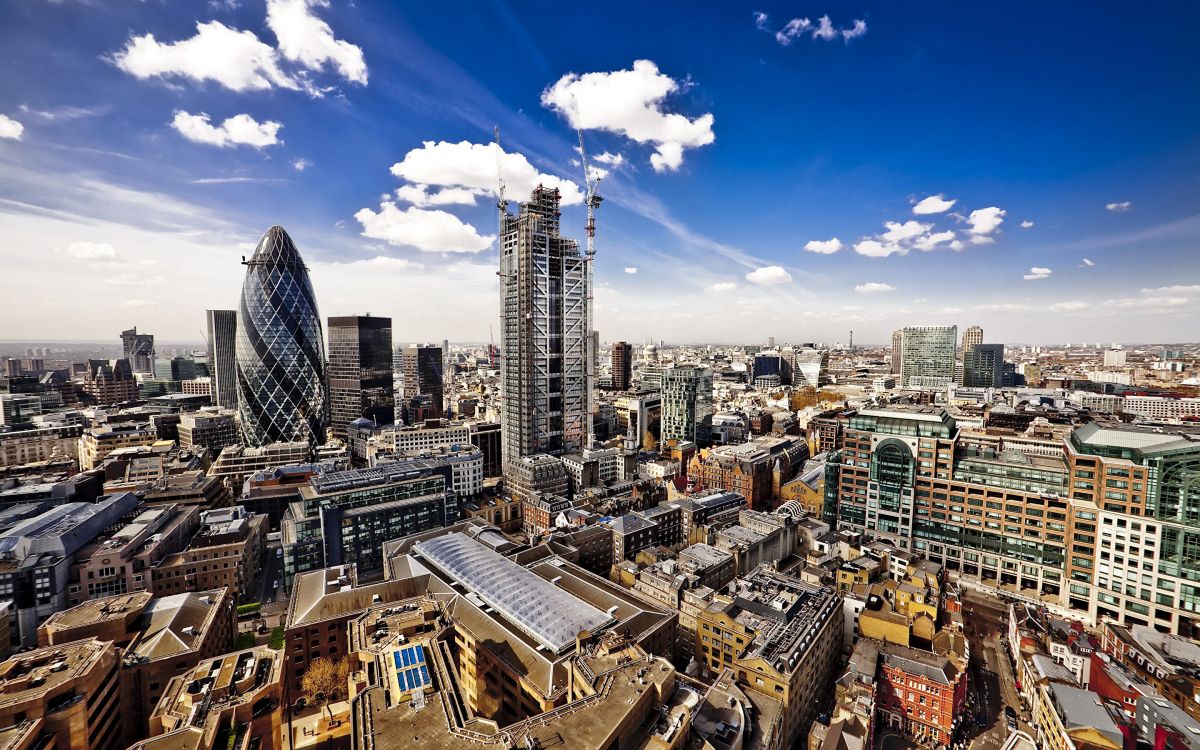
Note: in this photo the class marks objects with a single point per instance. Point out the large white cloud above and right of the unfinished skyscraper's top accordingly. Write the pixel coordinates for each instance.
(631, 103)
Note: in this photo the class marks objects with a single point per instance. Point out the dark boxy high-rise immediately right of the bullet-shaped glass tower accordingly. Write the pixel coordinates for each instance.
(359, 371)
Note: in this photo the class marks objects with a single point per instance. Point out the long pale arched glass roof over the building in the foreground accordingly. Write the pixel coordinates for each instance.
(542, 610)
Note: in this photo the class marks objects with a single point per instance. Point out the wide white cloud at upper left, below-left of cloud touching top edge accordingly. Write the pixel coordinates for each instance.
(238, 61)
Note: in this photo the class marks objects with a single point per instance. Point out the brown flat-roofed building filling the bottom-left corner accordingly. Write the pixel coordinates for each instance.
(69, 693)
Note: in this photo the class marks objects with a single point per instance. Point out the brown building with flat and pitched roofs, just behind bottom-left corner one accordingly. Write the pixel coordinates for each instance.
(157, 638)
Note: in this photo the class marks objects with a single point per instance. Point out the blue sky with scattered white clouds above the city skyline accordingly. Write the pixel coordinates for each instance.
(787, 170)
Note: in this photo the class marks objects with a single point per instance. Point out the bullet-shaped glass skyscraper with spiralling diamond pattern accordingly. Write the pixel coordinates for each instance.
(281, 352)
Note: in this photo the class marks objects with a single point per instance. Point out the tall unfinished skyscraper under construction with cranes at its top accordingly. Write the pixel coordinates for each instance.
(545, 328)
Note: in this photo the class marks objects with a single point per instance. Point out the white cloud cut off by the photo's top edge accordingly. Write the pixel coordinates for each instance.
(309, 40)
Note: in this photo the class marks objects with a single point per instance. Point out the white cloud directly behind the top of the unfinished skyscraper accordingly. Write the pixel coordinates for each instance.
(472, 166)
